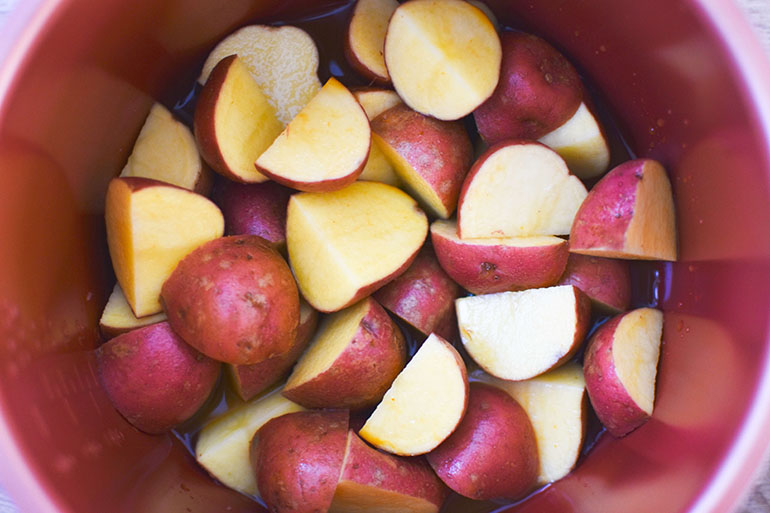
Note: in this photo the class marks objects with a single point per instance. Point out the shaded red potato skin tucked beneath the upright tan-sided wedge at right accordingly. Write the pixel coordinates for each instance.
(606, 281)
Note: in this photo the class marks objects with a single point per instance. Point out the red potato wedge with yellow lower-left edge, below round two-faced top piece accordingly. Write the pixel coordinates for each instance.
(430, 156)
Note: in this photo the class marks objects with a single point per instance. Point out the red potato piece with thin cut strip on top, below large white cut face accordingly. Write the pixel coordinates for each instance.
(485, 266)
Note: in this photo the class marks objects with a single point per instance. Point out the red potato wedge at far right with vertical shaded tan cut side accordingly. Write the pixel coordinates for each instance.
(628, 214)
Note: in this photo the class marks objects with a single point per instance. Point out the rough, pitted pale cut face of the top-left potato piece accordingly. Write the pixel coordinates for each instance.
(283, 61)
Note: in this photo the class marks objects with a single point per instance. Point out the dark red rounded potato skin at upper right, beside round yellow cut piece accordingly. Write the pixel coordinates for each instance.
(539, 90)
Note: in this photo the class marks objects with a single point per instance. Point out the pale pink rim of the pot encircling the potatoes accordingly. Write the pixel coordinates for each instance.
(749, 450)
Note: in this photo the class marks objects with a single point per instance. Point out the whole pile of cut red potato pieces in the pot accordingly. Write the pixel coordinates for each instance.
(345, 184)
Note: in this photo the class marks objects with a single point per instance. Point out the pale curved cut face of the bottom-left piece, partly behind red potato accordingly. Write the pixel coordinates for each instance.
(224, 443)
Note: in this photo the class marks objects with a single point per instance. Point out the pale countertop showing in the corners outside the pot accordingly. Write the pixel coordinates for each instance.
(758, 12)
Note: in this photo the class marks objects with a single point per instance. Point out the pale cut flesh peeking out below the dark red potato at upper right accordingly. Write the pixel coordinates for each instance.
(581, 143)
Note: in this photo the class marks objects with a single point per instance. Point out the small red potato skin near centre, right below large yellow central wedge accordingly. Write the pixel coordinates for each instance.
(423, 296)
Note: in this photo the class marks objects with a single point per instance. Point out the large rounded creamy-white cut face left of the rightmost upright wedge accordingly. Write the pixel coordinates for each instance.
(520, 190)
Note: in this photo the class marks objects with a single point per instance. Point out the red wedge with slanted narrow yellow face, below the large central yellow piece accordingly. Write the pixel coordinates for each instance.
(352, 361)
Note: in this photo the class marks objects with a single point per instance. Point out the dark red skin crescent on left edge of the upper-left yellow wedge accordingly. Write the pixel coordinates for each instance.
(203, 120)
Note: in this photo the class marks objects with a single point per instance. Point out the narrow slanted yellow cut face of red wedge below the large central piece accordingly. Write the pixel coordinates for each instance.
(333, 336)
